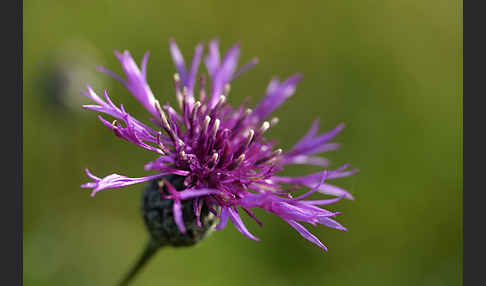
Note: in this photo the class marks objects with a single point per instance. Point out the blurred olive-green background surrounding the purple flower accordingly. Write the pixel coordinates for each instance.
(391, 70)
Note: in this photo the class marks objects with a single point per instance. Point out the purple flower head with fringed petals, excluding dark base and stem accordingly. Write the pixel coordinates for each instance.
(222, 151)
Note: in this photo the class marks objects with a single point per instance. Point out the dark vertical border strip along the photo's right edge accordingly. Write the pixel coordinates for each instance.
(474, 198)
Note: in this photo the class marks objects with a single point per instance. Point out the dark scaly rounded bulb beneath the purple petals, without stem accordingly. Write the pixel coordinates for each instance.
(159, 218)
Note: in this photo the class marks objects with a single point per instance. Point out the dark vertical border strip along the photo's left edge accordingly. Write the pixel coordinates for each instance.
(11, 120)
